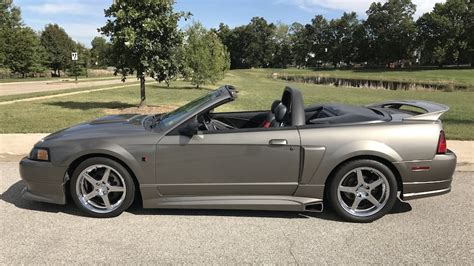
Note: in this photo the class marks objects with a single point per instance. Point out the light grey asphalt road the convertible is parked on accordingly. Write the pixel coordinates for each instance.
(435, 230)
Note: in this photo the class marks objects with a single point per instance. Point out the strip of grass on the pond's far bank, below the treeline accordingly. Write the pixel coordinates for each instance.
(464, 77)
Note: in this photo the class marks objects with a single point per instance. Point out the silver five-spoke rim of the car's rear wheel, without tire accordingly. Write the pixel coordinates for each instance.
(363, 191)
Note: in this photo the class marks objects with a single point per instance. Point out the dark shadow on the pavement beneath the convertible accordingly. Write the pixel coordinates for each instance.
(13, 196)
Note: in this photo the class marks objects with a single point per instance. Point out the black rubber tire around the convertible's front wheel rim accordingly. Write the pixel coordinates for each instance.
(117, 171)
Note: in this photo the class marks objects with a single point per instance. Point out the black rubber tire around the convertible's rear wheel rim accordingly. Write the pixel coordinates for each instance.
(340, 200)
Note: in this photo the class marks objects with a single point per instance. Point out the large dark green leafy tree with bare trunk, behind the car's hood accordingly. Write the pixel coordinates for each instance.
(144, 36)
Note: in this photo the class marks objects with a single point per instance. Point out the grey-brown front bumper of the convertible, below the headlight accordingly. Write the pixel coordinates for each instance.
(44, 181)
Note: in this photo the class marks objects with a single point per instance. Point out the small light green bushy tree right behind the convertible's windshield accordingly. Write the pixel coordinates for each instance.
(207, 58)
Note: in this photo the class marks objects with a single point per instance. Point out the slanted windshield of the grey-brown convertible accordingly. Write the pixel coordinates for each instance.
(177, 115)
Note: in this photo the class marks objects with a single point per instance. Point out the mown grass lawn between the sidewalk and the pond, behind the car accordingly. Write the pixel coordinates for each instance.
(256, 91)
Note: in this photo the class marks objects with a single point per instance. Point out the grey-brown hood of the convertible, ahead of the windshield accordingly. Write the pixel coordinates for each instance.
(104, 127)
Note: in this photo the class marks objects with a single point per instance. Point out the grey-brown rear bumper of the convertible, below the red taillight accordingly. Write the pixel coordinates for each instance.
(427, 178)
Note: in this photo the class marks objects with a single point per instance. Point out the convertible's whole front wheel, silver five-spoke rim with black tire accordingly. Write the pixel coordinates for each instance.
(102, 187)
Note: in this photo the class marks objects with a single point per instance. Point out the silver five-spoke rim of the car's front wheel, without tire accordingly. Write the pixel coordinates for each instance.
(100, 188)
